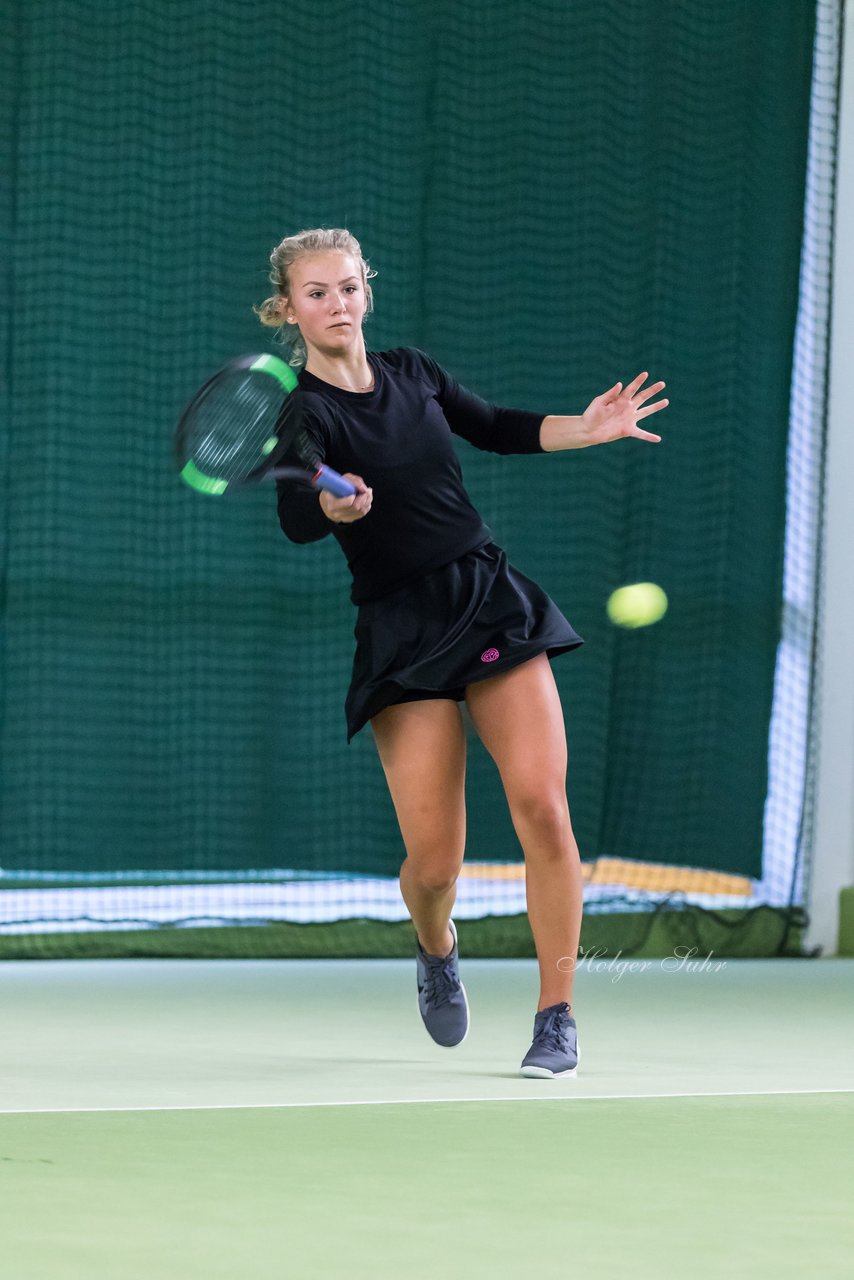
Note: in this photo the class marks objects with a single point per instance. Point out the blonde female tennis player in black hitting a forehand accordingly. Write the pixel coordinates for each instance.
(442, 618)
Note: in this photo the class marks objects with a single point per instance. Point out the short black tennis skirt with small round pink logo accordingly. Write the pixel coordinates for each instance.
(467, 621)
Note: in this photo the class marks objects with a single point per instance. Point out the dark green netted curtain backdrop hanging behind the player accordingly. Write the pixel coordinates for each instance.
(556, 198)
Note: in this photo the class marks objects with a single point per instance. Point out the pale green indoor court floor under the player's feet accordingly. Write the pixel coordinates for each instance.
(286, 1119)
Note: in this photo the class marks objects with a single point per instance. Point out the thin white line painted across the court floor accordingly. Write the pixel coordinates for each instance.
(401, 1103)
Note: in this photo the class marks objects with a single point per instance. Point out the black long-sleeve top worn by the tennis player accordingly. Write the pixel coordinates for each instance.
(398, 437)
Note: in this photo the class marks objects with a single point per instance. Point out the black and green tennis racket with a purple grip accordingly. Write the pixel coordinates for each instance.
(240, 423)
